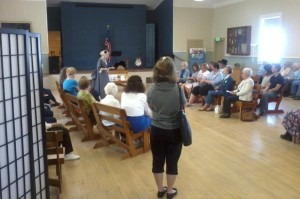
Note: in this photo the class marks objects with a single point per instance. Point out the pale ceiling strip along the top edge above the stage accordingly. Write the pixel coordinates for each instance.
(151, 4)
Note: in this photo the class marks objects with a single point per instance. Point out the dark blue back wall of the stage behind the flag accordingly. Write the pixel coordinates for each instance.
(84, 28)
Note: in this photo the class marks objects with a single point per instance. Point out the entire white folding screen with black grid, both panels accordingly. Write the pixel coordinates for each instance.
(22, 169)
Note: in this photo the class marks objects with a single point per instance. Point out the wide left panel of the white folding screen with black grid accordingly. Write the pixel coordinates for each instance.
(14, 139)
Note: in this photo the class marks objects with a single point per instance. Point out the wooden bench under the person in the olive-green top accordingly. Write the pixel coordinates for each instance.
(80, 118)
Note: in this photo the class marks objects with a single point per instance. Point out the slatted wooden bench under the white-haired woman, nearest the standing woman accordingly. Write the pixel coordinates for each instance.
(110, 134)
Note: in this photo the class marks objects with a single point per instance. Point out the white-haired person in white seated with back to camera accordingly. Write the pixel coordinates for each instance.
(110, 90)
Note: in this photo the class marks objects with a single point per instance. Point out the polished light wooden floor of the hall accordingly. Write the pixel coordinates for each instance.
(228, 159)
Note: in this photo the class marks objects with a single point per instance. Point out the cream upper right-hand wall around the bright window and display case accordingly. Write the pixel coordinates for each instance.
(248, 12)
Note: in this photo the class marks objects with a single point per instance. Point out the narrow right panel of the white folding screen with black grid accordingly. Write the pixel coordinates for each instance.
(36, 104)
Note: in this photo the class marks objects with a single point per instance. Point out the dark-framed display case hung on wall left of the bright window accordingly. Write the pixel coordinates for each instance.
(239, 40)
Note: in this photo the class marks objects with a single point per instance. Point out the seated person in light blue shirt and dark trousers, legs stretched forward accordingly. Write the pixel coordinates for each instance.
(207, 84)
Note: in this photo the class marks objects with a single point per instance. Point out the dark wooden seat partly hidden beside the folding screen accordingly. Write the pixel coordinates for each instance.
(55, 155)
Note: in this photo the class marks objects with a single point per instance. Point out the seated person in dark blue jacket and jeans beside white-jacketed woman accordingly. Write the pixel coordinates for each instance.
(221, 90)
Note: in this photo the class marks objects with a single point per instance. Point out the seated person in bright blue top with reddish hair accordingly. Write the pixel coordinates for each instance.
(70, 85)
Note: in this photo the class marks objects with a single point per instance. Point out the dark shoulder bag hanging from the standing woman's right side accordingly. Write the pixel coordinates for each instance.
(185, 129)
